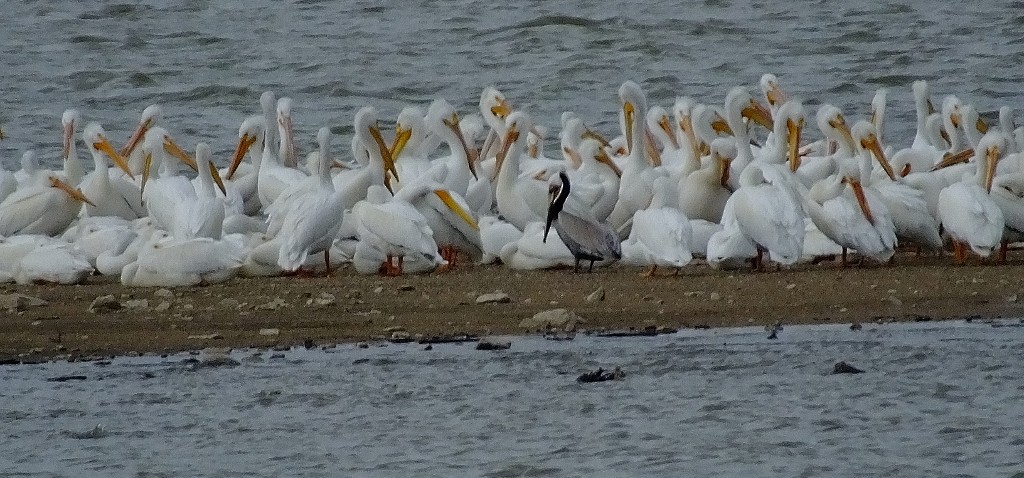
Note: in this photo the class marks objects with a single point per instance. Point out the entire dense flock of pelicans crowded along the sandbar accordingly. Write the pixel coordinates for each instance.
(732, 185)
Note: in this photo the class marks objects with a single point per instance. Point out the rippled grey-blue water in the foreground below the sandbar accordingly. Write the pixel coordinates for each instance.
(937, 400)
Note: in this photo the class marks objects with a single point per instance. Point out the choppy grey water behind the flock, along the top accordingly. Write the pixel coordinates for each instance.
(207, 62)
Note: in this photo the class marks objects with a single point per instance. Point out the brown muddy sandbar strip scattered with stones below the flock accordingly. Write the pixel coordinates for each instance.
(348, 308)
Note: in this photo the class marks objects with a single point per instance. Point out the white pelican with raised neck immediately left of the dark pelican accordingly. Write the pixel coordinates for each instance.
(521, 200)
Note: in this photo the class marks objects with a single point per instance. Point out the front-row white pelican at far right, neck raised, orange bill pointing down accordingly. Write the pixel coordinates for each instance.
(967, 210)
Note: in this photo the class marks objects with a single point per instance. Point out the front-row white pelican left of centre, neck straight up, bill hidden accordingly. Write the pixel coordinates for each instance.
(313, 219)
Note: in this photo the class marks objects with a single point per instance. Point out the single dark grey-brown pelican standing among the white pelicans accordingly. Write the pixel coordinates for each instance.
(585, 237)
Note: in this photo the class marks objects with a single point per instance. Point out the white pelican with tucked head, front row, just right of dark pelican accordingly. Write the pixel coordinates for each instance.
(661, 235)
